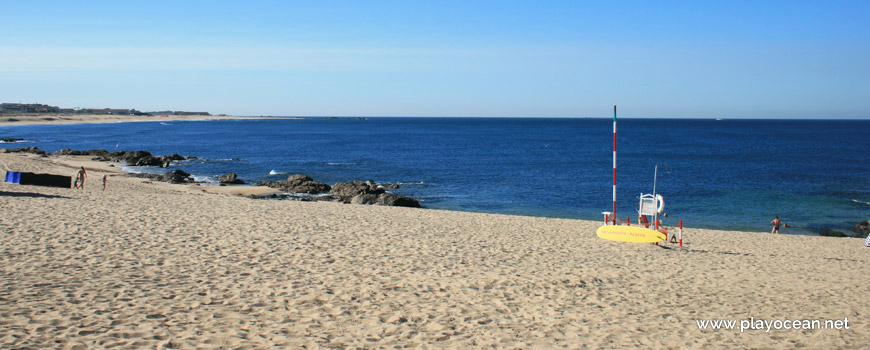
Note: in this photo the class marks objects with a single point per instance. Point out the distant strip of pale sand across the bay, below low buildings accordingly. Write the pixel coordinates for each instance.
(35, 119)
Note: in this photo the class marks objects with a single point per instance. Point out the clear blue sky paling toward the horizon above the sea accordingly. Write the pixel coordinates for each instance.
(684, 59)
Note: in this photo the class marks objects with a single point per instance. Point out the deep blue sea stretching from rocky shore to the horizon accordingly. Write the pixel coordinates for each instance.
(720, 174)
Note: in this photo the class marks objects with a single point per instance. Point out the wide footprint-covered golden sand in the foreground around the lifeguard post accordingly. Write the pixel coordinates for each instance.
(154, 265)
